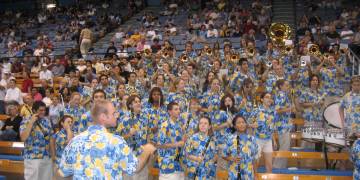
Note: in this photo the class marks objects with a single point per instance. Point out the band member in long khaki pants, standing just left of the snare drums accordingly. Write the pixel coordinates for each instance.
(283, 108)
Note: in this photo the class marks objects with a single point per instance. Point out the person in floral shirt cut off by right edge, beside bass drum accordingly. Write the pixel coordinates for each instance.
(350, 107)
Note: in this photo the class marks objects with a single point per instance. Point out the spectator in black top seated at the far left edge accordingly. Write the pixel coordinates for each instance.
(10, 129)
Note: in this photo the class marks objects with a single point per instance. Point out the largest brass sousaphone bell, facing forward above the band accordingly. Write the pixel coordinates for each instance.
(279, 32)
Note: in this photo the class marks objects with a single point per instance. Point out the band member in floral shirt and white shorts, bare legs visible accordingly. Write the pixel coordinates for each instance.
(263, 122)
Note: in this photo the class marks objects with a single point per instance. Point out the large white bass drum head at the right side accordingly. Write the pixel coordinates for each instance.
(332, 115)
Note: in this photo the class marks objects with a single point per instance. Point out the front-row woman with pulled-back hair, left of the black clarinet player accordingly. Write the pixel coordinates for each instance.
(200, 152)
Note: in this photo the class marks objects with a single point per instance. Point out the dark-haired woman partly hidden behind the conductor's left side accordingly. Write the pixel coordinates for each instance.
(61, 138)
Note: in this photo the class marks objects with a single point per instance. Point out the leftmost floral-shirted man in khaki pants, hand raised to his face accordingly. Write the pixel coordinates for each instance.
(35, 132)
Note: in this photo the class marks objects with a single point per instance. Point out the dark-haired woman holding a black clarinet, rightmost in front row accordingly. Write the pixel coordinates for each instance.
(241, 151)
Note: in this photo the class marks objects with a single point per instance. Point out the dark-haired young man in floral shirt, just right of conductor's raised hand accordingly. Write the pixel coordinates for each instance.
(170, 142)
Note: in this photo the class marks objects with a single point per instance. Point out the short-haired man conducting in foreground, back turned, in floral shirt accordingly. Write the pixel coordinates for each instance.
(78, 151)
